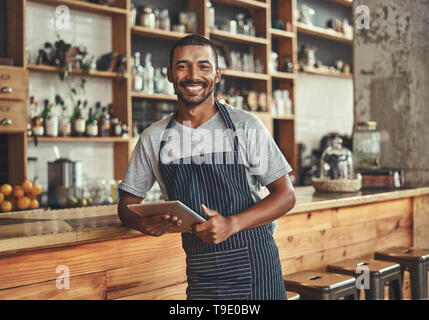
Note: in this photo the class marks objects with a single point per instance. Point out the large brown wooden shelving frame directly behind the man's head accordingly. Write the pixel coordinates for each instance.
(121, 42)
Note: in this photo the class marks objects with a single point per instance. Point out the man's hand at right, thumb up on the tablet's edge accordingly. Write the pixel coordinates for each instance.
(215, 230)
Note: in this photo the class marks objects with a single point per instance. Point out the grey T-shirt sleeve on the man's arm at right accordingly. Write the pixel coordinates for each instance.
(266, 160)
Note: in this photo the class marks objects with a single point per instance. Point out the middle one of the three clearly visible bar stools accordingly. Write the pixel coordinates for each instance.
(380, 273)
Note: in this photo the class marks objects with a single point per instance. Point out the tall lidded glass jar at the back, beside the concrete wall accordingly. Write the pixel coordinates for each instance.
(366, 145)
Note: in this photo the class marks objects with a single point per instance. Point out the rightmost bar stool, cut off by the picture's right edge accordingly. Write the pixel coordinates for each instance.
(416, 261)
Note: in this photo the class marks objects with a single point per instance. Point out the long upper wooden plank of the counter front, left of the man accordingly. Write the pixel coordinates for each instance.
(40, 265)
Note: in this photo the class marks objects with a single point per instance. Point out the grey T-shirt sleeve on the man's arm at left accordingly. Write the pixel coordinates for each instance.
(139, 177)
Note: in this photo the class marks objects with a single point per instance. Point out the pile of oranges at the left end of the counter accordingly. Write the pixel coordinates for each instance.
(20, 197)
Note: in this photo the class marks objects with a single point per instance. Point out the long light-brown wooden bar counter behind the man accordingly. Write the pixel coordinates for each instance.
(105, 260)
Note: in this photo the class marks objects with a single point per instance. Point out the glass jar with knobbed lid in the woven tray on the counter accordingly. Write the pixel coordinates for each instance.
(336, 161)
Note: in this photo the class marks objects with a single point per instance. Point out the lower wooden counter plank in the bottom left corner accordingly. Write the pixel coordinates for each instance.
(87, 287)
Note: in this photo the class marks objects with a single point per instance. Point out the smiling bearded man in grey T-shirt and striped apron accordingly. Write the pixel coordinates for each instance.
(213, 158)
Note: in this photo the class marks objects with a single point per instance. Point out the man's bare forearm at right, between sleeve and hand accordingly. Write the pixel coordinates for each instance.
(272, 207)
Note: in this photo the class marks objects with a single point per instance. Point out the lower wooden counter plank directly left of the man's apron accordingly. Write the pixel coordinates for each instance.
(157, 273)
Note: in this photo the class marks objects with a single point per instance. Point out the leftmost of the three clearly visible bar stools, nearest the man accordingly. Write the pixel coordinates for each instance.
(312, 285)
